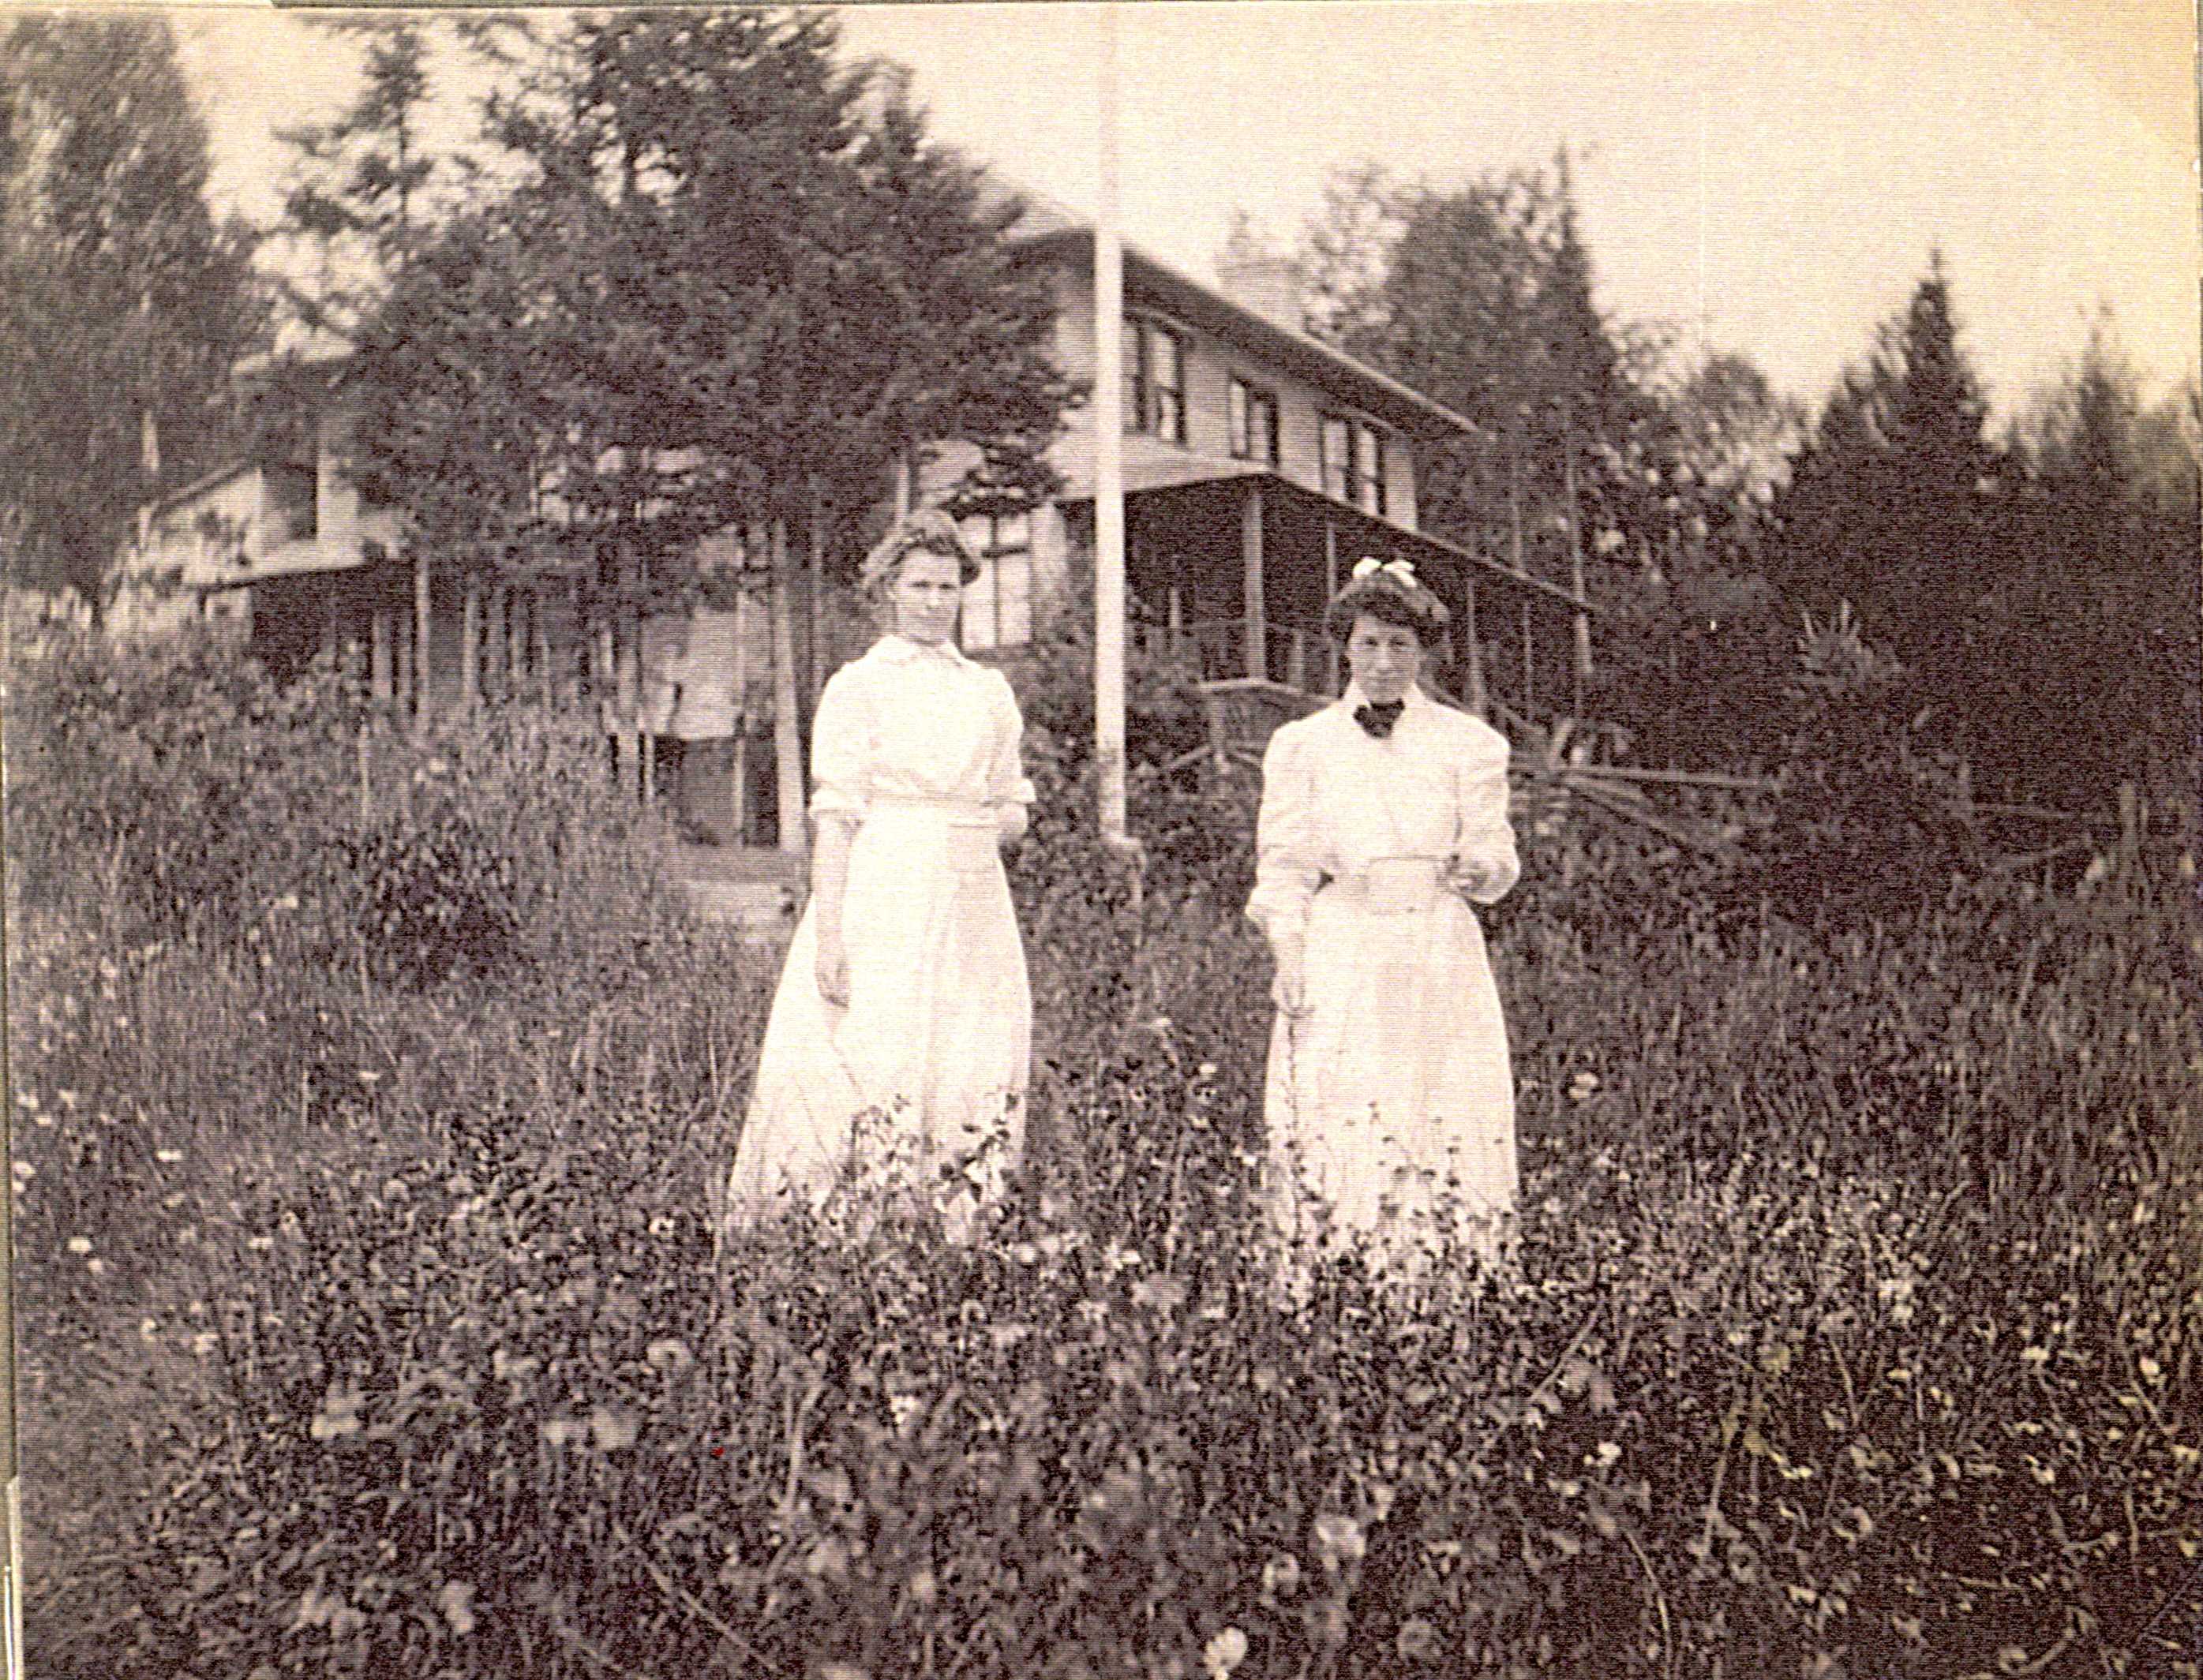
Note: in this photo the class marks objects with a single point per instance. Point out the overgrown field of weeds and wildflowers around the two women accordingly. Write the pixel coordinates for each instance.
(373, 1098)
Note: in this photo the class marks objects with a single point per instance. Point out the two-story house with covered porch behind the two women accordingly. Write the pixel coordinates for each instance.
(1259, 468)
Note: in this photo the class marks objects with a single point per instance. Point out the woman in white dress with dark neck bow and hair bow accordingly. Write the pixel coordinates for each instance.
(1391, 1098)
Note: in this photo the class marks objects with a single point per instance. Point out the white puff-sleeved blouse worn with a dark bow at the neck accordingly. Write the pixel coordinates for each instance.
(1338, 798)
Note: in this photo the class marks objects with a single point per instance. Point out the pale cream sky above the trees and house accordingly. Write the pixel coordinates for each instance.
(1759, 177)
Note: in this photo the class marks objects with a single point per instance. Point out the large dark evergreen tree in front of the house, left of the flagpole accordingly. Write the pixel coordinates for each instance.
(728, 287)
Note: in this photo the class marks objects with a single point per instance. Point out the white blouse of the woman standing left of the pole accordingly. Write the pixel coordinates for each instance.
(913, 723)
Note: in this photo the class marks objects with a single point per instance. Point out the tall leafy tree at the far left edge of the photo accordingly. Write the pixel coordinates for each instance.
(122, 303)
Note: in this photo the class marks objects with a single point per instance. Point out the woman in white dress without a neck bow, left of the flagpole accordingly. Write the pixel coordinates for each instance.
(900, 1043)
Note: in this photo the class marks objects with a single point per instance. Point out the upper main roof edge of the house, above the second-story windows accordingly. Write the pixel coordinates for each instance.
(1059, 230)
